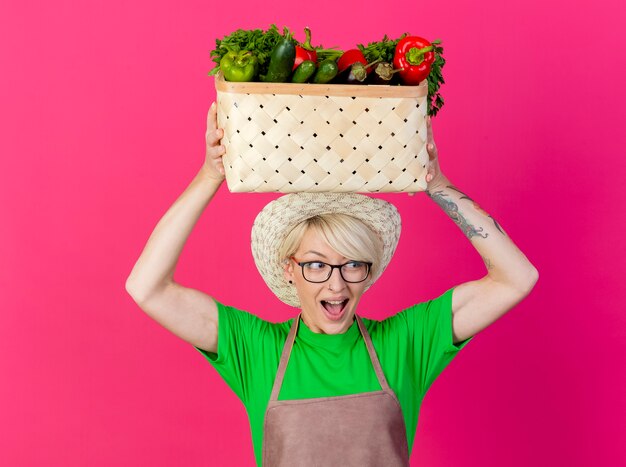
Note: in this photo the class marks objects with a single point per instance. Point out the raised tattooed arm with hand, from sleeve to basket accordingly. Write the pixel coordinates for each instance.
(510, 276)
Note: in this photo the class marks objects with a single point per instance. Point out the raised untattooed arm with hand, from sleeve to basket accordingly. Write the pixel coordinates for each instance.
(188, 313)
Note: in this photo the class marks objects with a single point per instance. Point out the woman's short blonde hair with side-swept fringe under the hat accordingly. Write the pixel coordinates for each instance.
(347, 235)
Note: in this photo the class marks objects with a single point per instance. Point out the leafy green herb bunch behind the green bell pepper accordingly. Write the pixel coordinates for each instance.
(257, 41)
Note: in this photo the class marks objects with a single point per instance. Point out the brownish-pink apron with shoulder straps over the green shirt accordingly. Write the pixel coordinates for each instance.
(359, 430)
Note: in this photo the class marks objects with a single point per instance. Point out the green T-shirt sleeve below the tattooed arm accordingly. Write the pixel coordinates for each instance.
(430, 339)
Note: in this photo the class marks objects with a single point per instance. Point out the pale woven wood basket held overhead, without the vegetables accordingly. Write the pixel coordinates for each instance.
(286, 137)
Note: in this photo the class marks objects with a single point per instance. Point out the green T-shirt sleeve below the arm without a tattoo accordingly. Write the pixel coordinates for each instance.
(239, 339)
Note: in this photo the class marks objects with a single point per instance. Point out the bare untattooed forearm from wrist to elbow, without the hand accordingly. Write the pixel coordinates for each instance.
(155, 267)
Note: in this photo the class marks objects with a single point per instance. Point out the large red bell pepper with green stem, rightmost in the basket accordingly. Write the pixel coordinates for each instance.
(414, 55)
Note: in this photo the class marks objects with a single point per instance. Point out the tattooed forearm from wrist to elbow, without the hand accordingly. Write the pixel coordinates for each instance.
(504, 261)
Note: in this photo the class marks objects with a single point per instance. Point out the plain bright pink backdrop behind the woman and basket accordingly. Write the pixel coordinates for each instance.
(102, 127)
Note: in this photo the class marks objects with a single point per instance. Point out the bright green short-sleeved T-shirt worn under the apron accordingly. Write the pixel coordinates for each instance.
(413, 346)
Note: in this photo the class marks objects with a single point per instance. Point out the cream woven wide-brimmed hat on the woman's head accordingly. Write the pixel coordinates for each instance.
(279, 217)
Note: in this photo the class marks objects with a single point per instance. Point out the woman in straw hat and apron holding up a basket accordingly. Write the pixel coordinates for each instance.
(328, 386)
